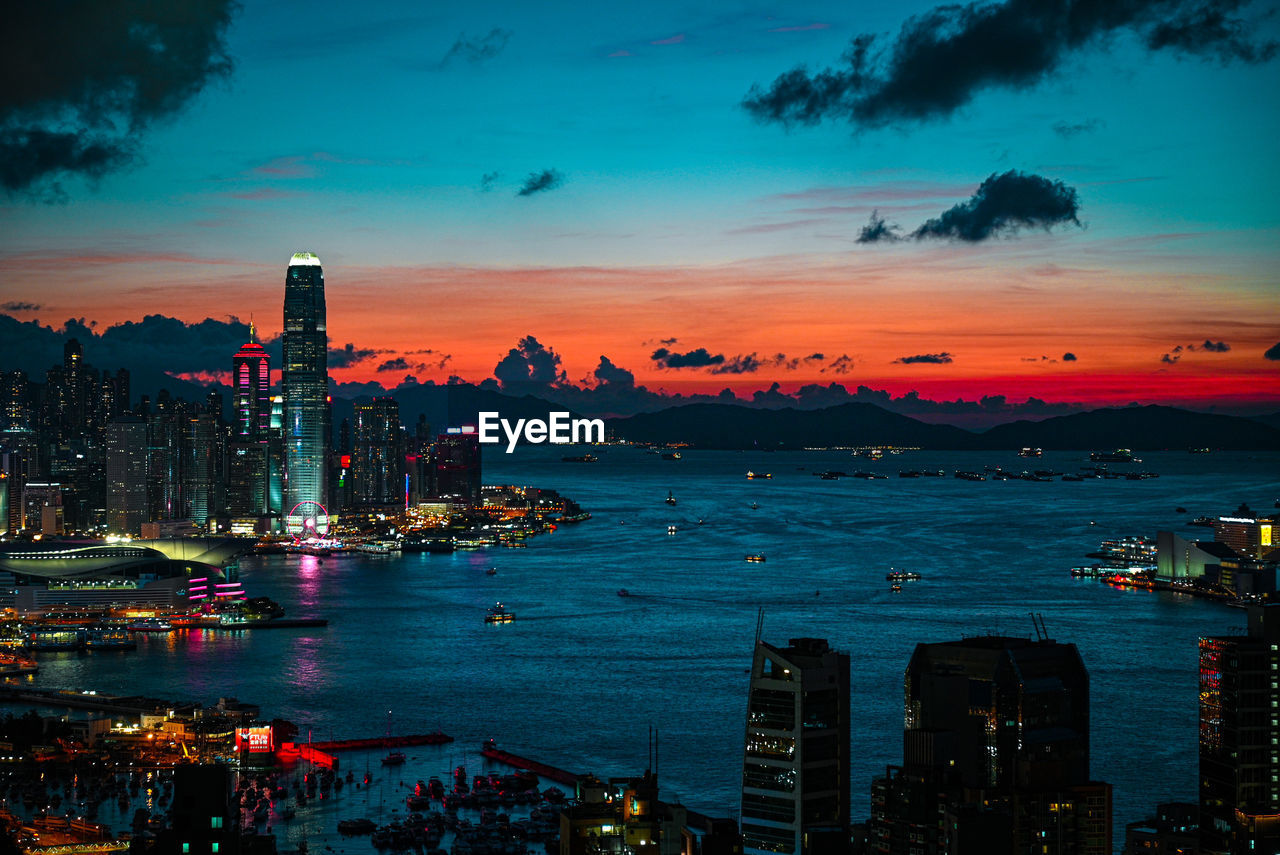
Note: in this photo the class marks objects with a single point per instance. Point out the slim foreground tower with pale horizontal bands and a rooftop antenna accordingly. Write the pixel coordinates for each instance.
(796, 766)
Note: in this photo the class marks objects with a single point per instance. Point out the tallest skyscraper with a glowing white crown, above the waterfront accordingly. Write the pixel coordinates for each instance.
(305, 385)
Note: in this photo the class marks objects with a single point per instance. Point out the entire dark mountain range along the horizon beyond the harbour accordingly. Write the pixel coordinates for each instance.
(714, 426)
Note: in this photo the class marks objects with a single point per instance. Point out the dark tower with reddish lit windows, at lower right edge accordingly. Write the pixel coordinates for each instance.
(1240, 738)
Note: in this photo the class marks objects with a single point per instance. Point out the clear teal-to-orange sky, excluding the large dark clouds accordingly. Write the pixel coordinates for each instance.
(367, 134)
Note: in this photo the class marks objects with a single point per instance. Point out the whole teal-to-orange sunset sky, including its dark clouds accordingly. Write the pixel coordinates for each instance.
(653, 184)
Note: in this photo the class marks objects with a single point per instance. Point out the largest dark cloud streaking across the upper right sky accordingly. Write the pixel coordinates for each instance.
(944, 58)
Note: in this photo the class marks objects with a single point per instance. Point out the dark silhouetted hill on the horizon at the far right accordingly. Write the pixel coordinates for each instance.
(1148, 428)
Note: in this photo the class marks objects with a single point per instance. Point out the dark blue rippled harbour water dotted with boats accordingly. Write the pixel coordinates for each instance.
(582, 675)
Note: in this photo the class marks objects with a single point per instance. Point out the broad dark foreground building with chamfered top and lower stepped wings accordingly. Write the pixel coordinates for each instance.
(996, 755)
